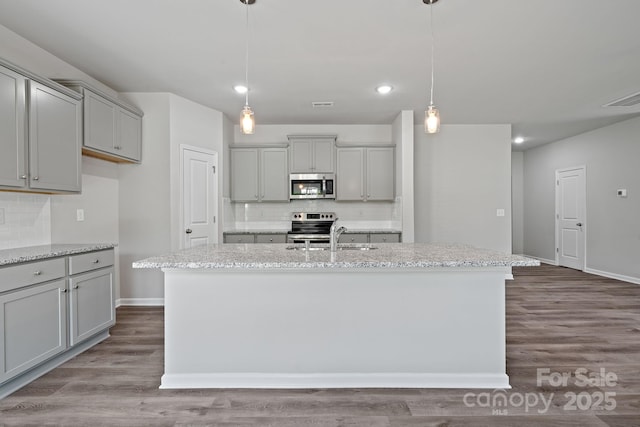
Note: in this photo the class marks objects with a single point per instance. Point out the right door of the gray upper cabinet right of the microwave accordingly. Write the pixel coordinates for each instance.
(380, 173)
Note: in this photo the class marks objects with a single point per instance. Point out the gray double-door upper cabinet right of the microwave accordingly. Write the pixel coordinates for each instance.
(366, 173)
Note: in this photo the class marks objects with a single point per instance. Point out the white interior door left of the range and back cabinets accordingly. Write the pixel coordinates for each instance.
(199, 196)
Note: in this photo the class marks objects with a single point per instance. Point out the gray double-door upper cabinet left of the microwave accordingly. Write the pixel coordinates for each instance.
(259, 174)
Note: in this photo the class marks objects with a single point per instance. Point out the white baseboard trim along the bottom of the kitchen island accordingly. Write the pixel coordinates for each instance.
(334, 380)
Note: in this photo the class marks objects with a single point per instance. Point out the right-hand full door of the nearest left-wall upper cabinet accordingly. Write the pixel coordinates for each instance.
(54, 139)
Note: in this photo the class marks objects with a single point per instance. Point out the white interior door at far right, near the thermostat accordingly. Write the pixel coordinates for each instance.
(570, 217)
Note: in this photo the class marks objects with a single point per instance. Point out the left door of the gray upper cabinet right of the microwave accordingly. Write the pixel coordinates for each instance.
(350, 174)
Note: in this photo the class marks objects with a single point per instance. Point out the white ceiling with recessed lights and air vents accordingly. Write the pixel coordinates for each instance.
(545, 66)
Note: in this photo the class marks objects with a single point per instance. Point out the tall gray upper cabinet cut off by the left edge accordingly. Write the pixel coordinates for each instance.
(41, 139)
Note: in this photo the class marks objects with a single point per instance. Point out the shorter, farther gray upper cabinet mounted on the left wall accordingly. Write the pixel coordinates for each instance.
(112, 129)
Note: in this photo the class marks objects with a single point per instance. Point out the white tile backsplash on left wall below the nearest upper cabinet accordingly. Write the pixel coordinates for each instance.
(25, 220)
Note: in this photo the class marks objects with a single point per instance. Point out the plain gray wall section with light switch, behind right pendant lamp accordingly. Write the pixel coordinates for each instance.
(462, 176)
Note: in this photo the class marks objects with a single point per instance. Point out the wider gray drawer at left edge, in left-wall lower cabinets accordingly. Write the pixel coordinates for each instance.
(21, 275)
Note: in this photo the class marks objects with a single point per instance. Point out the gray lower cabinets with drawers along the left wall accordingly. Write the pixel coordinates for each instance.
(47, 308)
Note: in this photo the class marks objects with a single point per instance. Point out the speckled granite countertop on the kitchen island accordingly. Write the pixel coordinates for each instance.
(385, 255)
